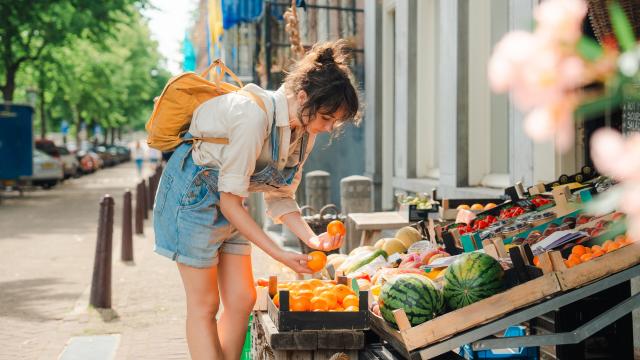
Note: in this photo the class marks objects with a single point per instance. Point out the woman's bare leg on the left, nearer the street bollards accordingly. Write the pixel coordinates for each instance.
(201, 287)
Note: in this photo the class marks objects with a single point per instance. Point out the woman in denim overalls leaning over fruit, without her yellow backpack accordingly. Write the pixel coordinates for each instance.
(199, 217)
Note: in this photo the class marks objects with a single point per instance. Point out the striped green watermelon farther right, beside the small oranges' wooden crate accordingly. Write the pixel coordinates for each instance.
(471, 278)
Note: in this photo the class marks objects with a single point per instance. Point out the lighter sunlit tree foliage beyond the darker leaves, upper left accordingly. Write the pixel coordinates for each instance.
(108, 75)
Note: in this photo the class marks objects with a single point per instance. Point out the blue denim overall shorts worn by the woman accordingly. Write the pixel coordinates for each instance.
(189, 226)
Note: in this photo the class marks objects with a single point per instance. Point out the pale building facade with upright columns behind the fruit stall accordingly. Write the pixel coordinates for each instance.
(432, 120)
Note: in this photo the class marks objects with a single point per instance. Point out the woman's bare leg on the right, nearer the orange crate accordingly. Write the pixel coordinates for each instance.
(238, 294)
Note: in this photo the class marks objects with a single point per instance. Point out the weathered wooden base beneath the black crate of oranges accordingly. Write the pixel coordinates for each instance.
(270, 344)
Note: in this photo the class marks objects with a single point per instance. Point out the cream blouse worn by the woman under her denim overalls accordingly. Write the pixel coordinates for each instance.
(248, 129)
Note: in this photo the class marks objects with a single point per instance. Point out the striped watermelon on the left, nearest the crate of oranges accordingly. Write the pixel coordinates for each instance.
(416, 294)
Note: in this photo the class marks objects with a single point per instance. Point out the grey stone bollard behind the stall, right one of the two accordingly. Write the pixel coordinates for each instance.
(355, 197)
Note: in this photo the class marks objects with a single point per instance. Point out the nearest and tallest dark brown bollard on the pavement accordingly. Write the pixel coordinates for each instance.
(101, 280)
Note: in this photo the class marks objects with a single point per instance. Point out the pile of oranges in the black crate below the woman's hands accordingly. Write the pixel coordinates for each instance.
(318, 295)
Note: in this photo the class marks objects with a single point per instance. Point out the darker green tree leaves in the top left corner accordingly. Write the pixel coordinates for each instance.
(30, 27)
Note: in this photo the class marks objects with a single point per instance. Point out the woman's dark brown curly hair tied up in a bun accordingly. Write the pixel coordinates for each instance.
(323, 73)
